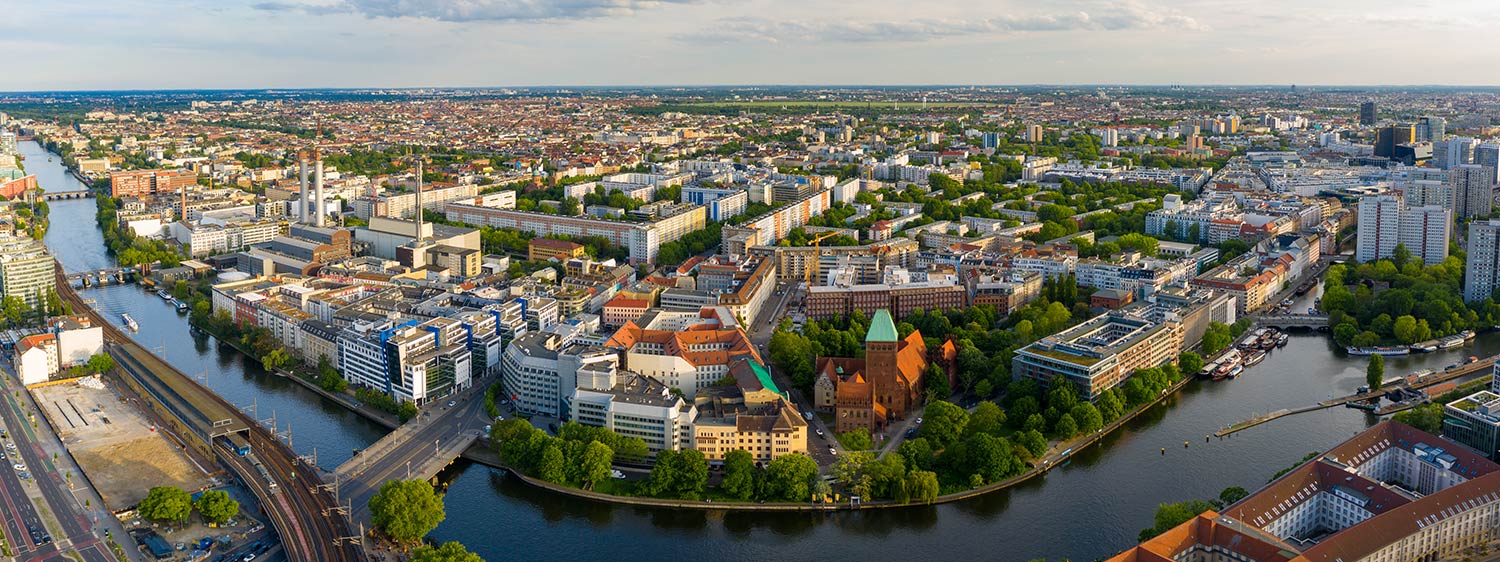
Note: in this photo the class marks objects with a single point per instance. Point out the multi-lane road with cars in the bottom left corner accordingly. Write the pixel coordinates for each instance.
(73, 531)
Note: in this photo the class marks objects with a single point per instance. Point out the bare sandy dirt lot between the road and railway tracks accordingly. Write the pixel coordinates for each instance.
(115, 444)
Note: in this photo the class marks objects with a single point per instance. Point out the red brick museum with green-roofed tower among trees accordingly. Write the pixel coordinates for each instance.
(883, 387)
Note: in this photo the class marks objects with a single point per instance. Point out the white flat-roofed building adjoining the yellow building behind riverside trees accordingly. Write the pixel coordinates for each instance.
(634, 407)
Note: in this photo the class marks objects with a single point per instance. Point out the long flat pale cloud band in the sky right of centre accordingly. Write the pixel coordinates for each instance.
(1118, 17)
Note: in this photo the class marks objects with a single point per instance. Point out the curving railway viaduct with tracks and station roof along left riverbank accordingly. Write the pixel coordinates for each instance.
(302, 512)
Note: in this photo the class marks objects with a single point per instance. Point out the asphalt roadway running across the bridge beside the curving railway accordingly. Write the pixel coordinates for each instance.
(428, 432)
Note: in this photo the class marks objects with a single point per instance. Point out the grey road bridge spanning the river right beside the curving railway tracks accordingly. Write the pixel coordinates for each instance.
(418, 450)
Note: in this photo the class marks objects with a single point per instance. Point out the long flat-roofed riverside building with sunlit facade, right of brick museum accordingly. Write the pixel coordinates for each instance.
(1100, 354)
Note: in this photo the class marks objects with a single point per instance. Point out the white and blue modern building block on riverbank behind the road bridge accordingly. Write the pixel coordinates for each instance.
(410, 362)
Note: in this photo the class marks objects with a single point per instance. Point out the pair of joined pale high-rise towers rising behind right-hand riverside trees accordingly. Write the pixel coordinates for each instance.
(1387, 223)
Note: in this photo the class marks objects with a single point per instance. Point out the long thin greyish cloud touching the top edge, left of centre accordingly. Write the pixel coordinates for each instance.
(463, 11)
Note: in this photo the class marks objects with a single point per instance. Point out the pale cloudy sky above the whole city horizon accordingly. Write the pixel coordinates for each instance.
(281, 44)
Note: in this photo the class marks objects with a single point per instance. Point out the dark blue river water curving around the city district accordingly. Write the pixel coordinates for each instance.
(1088, 510)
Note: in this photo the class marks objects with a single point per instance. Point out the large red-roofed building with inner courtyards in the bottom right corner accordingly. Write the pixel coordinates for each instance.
(1390, 494)
